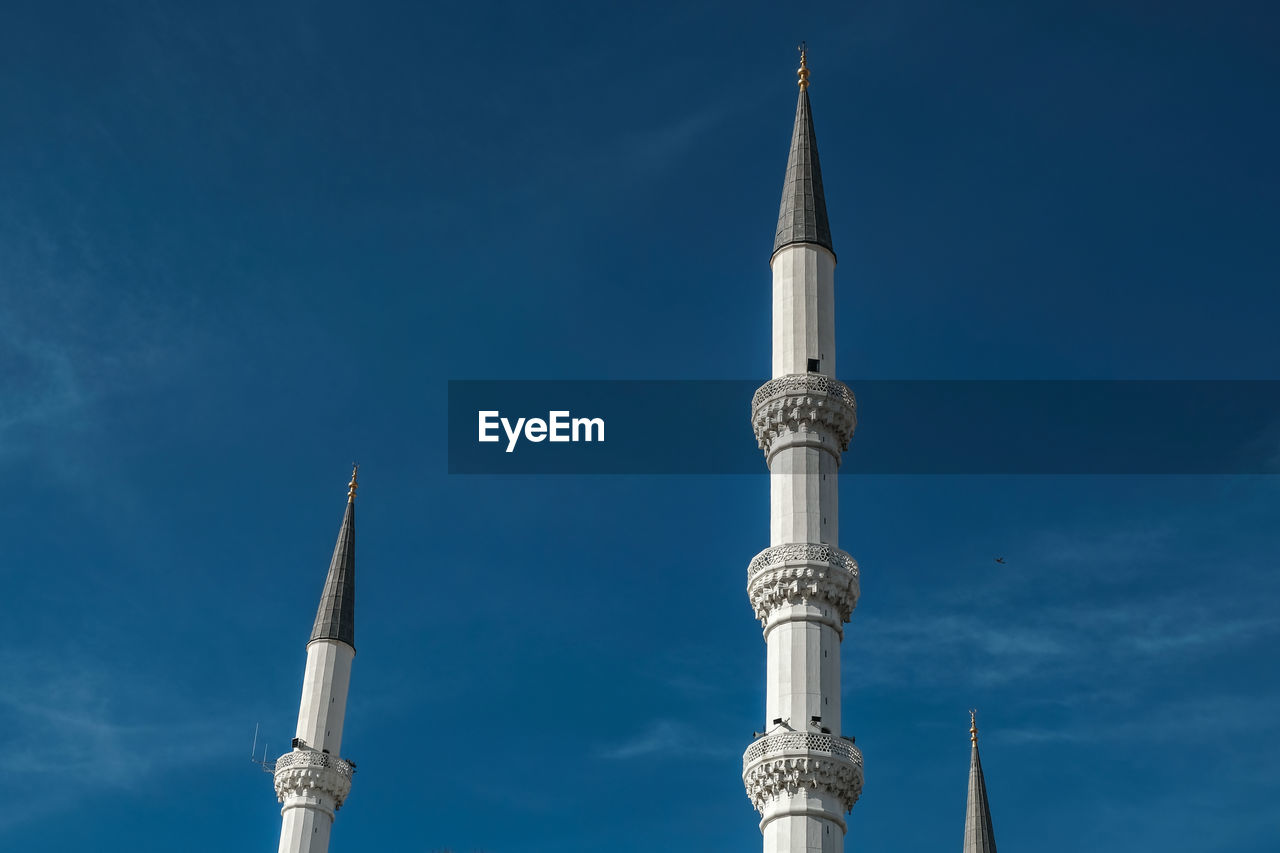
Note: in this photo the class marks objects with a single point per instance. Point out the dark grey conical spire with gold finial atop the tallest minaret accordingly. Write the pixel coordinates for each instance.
(803, 216)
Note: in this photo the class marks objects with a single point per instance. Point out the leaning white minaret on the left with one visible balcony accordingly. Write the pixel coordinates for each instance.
(312, 781)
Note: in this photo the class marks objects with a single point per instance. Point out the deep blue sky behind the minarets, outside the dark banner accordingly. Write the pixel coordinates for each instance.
(245, 244)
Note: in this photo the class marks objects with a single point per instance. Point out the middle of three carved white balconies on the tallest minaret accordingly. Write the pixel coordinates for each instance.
(803, 574)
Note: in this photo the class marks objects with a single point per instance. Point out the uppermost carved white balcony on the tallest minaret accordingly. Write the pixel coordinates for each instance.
(806, 408)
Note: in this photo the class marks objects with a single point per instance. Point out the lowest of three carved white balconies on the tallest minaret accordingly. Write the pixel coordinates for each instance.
(789, 764)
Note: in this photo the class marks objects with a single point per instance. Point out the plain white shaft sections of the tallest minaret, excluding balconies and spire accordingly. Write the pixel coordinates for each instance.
(803, 642)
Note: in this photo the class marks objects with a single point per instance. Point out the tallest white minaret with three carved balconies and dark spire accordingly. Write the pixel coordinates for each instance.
(802, 776)
